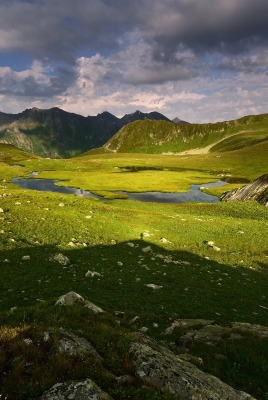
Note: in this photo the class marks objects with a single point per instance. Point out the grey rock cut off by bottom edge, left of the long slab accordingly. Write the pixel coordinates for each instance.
(81, 390)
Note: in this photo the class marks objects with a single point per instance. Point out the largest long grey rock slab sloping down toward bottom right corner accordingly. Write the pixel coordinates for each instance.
(159, 368)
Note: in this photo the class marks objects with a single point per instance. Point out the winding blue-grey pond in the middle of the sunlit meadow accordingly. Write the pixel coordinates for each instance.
(193, 195)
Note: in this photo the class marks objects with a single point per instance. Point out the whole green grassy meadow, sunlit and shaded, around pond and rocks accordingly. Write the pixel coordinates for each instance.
(130, 244)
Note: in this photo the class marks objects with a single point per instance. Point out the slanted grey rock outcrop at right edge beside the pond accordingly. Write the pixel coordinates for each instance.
(256, 190)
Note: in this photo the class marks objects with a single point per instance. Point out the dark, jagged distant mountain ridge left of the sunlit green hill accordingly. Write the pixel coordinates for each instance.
(56, 133)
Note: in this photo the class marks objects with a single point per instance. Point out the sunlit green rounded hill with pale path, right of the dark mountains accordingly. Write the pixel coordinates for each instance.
(153, 136)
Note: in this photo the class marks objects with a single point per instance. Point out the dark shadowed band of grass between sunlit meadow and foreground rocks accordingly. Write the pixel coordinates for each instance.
(191, 286)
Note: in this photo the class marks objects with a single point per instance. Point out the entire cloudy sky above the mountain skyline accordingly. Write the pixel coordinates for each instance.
(198, 60)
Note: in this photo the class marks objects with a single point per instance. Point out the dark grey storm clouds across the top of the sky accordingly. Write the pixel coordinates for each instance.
(59, 31)
